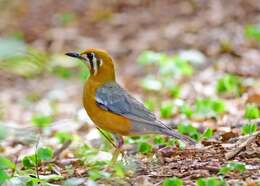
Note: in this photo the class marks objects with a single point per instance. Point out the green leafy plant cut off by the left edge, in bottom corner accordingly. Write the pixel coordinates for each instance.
(5, 164)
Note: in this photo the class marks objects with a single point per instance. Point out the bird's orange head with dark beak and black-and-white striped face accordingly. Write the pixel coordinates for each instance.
(99, 63)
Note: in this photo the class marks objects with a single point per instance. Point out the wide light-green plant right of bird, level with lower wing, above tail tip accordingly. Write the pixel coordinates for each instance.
(209, 107)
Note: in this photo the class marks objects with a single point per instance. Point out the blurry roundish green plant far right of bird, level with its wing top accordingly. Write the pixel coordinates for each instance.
(229, 84)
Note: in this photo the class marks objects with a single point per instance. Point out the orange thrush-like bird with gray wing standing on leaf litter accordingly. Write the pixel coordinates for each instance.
(111, 107)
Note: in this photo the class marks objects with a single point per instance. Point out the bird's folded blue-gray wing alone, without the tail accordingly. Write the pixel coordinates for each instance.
(114, 98)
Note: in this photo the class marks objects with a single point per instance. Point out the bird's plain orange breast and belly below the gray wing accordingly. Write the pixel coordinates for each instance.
(104, 119)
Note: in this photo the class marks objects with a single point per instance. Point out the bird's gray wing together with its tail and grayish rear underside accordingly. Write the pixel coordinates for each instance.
(113, 98)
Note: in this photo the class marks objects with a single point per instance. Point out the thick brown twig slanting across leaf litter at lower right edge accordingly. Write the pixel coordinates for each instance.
(237, 149)
